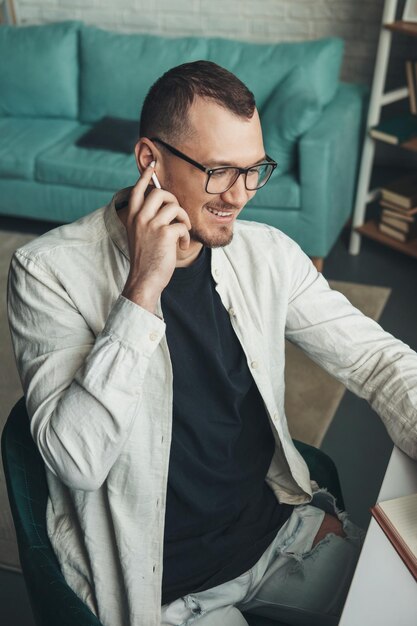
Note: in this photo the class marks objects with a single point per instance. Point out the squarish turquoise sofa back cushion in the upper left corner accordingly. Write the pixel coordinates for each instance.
(39, 70)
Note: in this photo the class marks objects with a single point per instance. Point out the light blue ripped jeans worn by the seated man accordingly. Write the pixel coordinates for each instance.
(292, 582)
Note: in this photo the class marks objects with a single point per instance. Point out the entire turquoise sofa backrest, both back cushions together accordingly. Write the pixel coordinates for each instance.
(70, 70)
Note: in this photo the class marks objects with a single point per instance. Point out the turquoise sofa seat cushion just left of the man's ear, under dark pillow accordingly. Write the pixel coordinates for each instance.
(65, 163)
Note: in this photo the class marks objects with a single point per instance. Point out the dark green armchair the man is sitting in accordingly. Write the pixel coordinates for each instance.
(52, 600)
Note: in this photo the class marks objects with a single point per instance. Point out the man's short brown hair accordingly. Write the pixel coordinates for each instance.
(164, 111)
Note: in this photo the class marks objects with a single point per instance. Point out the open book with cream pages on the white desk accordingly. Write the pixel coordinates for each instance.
(398, 520)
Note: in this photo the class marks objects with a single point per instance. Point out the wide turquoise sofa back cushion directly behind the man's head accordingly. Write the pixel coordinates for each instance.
(117, 70)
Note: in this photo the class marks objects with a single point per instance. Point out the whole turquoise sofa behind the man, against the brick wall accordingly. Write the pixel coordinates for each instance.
(58, 80)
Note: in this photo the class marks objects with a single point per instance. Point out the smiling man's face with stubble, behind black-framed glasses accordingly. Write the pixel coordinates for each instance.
(219, 138)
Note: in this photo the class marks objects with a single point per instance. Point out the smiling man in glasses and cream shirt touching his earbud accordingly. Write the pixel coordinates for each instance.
(149, 337)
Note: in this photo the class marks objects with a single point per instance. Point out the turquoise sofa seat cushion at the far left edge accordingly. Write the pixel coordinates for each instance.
(21, 141)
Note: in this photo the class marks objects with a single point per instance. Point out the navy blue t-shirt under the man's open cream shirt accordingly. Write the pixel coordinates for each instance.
(220, 514)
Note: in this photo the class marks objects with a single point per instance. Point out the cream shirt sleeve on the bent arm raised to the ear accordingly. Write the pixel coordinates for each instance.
(82, 391)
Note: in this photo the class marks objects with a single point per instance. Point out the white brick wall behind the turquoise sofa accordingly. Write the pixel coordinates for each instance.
(356, 21)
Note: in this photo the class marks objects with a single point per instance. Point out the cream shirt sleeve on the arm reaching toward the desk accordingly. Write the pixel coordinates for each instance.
(354, 349)
